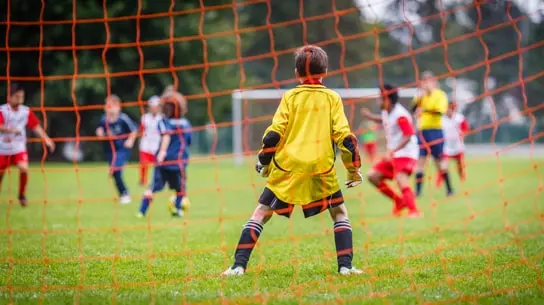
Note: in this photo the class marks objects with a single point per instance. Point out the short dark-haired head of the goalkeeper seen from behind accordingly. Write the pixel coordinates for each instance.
(311, 61)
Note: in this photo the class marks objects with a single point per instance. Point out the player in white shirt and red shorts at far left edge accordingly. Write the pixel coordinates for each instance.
(14, 119)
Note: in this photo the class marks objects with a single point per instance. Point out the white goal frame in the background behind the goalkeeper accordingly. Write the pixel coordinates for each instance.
(238, 96)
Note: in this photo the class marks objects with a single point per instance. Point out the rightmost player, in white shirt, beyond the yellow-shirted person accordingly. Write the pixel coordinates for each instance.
(455, 126)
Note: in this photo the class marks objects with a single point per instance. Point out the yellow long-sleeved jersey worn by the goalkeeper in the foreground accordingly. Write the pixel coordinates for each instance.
(310, 120)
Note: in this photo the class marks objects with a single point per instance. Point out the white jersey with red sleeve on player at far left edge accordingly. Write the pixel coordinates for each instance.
(18, 119)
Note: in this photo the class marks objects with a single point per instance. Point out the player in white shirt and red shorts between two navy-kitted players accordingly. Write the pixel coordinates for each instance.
(151, 137)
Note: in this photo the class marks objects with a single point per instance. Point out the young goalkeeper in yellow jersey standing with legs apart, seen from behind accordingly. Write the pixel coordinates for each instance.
(298, 155)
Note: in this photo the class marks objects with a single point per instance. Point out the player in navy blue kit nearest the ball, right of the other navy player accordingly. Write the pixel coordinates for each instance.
(172, 156)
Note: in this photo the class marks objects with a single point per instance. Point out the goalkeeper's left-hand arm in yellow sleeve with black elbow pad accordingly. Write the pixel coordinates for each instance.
(272, 137)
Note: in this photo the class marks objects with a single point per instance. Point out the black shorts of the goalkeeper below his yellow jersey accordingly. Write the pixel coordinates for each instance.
(311, 209)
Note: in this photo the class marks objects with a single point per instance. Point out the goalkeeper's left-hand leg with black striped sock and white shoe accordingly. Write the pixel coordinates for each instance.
(249, 237)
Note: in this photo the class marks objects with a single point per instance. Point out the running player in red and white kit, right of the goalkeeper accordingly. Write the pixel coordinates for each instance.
(402, 152)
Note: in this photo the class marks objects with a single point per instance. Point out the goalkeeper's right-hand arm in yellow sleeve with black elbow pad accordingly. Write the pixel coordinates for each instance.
(346, 142)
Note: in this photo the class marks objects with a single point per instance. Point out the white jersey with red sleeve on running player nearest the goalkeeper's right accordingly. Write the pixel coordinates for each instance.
(397, 124)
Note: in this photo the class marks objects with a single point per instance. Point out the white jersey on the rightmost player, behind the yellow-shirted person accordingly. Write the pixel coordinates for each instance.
(454, 127)
